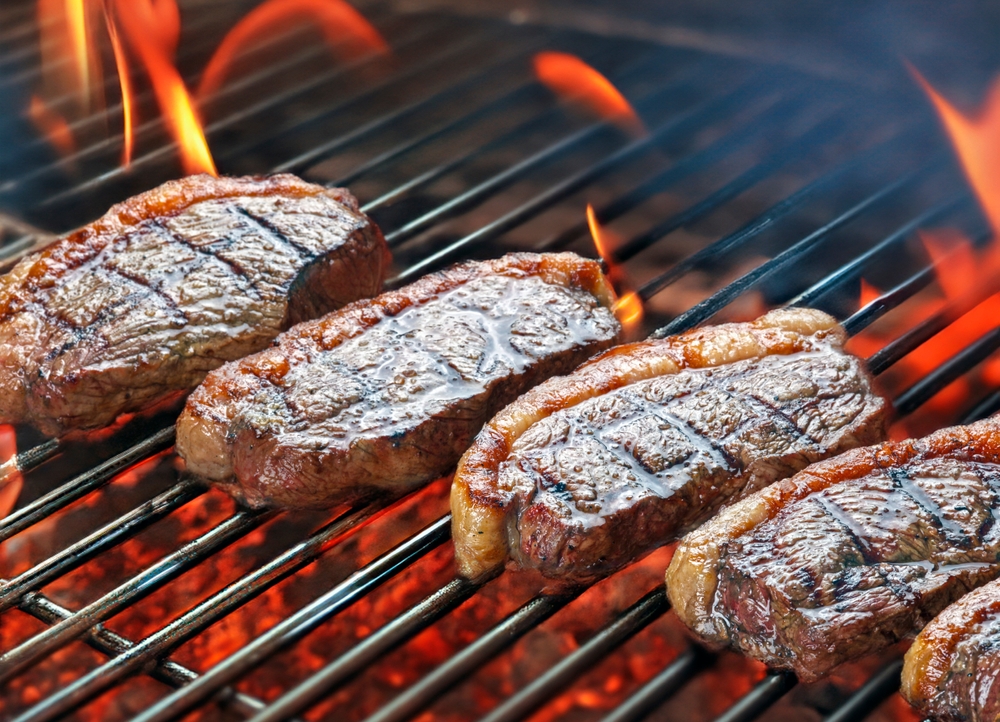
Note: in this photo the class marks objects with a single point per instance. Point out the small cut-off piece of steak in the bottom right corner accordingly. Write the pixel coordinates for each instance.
(952, 671)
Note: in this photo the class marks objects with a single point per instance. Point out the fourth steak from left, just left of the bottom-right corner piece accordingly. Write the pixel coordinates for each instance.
(848, 556)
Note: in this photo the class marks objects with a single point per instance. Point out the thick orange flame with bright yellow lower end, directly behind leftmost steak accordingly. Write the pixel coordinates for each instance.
(139, 22)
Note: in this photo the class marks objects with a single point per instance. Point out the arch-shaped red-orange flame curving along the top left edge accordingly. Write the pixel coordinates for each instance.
(345, 30)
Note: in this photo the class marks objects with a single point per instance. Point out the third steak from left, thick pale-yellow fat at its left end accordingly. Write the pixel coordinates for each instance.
(587, 473)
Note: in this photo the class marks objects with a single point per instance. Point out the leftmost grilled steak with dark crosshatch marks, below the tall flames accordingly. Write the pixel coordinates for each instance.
(170, 284)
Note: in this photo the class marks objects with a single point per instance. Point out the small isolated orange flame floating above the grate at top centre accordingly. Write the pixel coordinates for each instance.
(572, 79)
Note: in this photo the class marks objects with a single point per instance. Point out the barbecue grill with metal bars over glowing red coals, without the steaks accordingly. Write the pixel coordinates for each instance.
(758, 183)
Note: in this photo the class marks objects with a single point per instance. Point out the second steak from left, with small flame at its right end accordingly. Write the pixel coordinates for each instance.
(385, 395)
